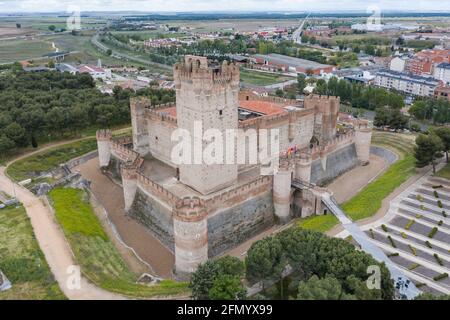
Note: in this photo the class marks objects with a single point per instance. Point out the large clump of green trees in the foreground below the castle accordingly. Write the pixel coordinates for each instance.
(321, 268)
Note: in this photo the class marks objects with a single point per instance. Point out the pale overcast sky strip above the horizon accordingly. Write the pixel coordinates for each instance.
(221, 5)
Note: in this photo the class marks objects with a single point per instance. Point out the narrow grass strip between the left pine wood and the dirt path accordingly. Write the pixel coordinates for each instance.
(46, 160)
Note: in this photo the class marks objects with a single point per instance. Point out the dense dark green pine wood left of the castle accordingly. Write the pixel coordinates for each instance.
(37, 105)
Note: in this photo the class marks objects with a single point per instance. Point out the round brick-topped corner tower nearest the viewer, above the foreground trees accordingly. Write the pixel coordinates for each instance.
(191, 235)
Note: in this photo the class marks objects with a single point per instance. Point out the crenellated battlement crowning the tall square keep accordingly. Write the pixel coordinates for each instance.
(196, 69)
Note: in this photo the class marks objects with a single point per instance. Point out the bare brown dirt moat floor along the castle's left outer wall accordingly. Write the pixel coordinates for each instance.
(135, 235)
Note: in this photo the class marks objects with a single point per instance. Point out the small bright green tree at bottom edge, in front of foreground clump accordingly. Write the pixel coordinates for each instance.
(227, 287)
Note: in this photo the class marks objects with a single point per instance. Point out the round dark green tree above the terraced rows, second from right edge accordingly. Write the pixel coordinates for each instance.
(427, 150)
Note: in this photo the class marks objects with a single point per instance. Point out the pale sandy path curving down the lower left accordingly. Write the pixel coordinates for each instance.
(53, 243)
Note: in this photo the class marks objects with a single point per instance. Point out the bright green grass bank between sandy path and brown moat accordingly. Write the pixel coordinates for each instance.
(100, 261)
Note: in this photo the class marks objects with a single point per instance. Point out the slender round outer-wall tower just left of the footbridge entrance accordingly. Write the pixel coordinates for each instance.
(282, 181)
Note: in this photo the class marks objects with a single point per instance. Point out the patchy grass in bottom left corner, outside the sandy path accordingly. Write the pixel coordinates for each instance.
(22, 260)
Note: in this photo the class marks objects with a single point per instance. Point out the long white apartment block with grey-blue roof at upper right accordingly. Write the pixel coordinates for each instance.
(407, 83)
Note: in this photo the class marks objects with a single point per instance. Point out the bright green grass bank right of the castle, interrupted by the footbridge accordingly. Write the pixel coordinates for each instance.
(368, 201)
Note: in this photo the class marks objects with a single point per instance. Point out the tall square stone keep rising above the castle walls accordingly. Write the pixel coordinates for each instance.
(207, 98)
